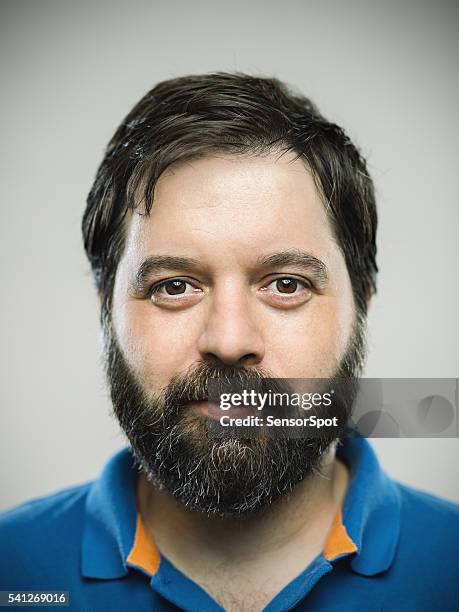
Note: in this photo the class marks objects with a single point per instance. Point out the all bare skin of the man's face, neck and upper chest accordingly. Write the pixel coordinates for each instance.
(226, 213)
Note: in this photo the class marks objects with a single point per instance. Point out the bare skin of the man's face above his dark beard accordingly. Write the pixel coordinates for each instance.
(227, 215)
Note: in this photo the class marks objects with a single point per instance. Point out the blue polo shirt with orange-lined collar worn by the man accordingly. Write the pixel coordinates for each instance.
(391, 547)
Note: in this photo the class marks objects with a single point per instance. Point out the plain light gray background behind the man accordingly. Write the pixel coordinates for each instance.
(70, 71)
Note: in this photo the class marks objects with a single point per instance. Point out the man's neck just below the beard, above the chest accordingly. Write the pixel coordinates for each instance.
(300, 520)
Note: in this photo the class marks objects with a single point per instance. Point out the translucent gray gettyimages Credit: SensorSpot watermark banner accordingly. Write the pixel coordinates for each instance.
(370, 407)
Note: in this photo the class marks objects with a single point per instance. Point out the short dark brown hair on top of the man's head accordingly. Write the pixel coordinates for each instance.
(193, 116)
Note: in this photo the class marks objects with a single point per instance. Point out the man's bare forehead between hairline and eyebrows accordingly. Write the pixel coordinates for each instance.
(232, 207)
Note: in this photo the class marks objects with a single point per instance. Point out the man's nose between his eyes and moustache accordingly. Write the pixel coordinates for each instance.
(231, 333)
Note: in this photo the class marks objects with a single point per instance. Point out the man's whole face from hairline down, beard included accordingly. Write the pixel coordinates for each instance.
(236, 267)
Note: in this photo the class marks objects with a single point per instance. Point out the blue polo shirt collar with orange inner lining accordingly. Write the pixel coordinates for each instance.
(114, 538)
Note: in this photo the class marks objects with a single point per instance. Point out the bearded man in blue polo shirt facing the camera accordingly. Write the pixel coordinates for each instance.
(231, 231)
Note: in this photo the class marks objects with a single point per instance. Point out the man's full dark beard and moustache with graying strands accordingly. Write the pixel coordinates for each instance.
(228, 476)
